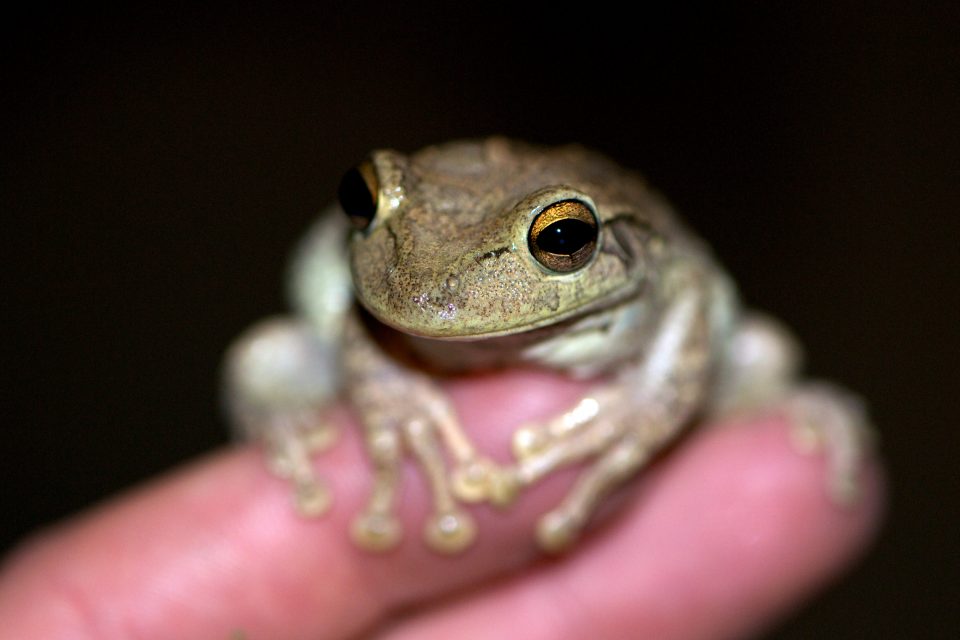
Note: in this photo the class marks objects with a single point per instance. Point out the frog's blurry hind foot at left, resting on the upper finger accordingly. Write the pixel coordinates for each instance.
(291, 440)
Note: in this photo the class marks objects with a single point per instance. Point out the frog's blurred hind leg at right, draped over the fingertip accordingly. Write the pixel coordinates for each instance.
(760, 373)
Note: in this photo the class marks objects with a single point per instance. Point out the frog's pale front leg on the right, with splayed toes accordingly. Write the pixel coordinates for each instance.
(622, 424)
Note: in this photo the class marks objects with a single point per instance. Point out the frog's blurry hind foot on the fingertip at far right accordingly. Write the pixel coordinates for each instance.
(828, 419)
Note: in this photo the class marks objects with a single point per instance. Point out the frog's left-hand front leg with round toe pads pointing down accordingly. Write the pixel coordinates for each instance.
(403, 410)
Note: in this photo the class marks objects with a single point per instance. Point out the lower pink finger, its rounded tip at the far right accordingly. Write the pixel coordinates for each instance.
(729, 532)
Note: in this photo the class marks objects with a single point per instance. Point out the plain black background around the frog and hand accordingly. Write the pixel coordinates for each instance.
(158, 164)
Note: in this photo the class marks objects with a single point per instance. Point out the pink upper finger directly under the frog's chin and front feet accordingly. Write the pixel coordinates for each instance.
(217, 547)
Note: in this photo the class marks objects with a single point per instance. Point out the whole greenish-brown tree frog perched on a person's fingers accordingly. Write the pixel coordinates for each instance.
(484, 254)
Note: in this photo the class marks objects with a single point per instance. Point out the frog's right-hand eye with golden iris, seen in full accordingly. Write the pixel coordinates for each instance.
(563, 236)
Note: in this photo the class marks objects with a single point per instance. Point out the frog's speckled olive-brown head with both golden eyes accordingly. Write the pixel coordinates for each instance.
(476, 239)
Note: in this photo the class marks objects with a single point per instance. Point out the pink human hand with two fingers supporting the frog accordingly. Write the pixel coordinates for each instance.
(724, 534)
